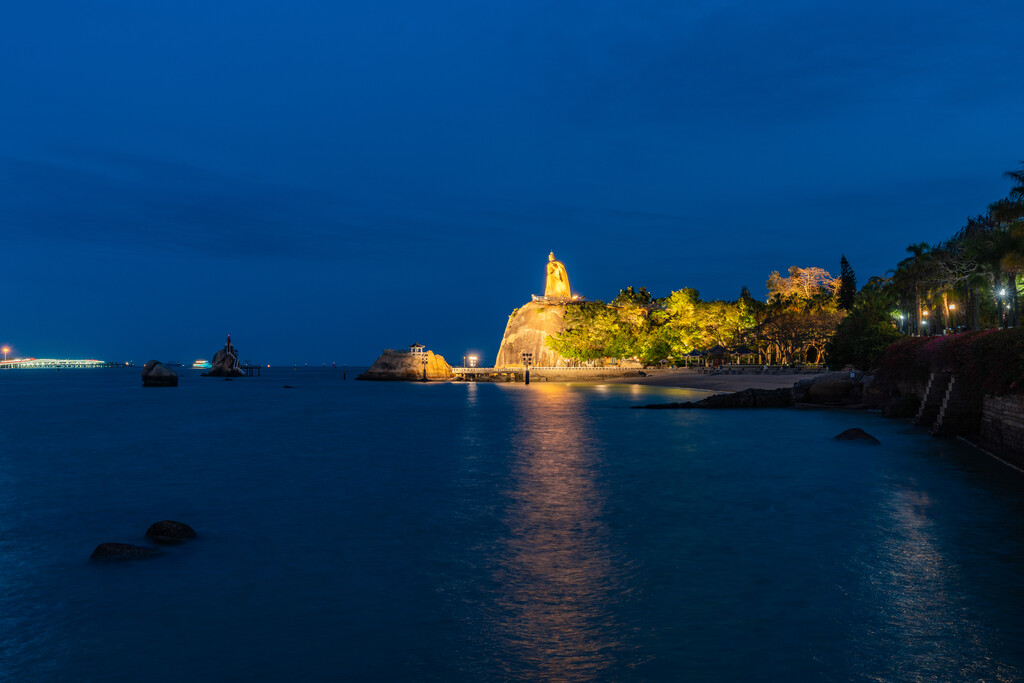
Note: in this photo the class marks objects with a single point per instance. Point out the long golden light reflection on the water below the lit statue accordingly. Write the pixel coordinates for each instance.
(556, 568)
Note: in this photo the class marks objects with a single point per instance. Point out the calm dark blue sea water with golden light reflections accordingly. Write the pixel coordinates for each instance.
(476, 532)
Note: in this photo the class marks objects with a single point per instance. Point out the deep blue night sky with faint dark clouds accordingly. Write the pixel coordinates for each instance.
(324, 181)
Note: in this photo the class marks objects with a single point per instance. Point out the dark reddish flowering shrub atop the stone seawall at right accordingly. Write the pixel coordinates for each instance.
(990, 362)
